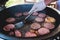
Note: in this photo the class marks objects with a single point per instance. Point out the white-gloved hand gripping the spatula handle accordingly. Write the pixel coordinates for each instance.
(39, 6)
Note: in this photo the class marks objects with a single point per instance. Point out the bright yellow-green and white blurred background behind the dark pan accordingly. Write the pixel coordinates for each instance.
(17, 2)
